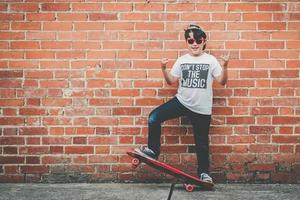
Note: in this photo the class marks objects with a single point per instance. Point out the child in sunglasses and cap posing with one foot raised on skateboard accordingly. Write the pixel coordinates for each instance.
(194, 72)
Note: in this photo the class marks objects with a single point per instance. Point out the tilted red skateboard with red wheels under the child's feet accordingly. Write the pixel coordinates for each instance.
(188, 180)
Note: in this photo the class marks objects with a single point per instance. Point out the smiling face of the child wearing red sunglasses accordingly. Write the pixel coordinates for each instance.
(195, 46)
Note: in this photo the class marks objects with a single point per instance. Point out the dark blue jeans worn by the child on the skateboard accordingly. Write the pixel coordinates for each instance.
(174, 109)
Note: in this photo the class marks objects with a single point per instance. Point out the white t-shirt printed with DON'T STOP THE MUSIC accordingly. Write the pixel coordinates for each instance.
(196, 79)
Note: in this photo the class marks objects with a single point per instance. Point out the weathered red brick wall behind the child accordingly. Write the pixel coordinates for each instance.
(78, 81)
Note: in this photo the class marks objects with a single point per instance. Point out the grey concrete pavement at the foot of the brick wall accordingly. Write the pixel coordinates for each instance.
(117, 191)
